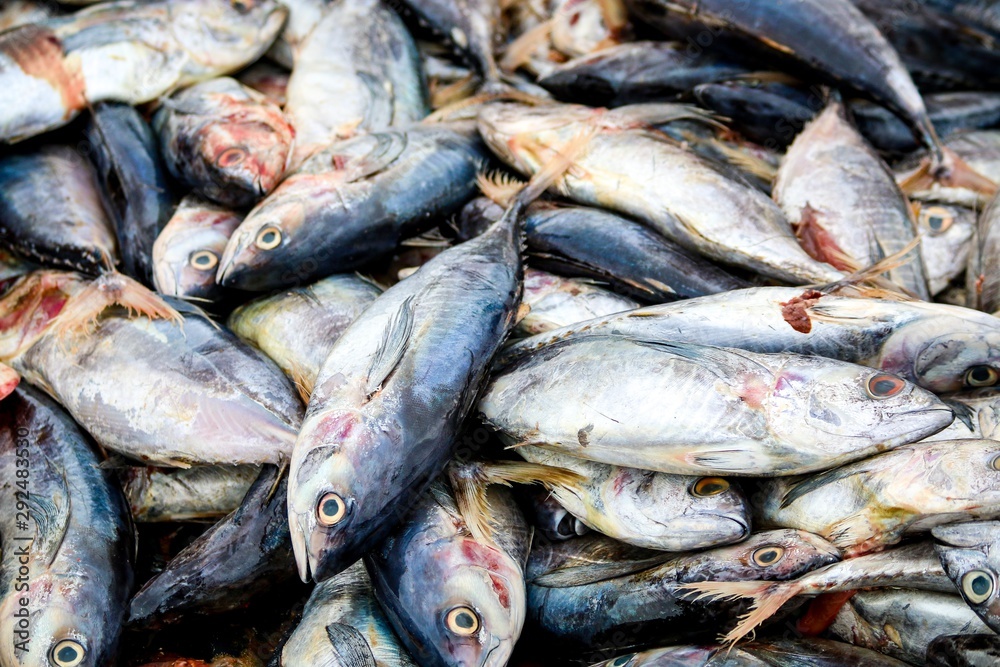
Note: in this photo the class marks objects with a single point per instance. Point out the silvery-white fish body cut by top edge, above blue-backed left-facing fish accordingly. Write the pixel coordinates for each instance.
(358, 71)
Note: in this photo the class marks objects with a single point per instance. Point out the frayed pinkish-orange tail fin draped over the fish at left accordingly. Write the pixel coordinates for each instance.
(83, 309)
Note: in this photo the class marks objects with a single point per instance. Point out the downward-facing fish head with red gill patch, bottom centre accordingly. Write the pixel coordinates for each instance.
(474, 613)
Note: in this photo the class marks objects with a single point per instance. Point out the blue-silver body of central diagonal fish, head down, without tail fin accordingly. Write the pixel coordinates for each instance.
(373, 436)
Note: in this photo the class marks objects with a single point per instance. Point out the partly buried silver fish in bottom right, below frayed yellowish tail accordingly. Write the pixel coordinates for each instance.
(902, 623)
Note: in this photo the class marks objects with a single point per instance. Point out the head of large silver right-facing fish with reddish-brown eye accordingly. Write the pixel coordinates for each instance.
(846, 405)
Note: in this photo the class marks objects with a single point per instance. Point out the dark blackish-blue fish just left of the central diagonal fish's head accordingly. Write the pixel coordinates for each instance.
(246, 553)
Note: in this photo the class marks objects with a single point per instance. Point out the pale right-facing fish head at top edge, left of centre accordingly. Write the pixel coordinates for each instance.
(225, 35)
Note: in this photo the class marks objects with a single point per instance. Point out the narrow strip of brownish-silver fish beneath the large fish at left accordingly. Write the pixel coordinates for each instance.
(193, 494)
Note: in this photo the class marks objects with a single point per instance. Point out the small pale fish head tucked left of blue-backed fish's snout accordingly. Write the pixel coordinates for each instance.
(187, 250)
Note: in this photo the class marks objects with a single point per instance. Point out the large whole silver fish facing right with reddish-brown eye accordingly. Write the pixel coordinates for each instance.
(692, 409)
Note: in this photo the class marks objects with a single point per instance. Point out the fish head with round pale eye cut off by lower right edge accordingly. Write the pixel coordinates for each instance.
(970, 555)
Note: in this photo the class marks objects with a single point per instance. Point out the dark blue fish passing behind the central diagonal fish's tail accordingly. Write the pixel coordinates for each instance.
(593, 243)
